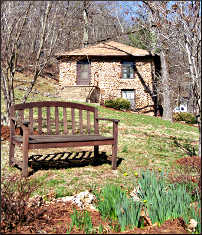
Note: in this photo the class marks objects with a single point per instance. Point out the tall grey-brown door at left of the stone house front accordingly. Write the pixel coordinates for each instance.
(83, 72)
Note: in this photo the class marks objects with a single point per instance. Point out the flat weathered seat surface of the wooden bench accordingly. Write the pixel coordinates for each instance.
(34, 139)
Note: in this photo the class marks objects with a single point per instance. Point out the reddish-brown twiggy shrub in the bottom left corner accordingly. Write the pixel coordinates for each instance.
(15, 193)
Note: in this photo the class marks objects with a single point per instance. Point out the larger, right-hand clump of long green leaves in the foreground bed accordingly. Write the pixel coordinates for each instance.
(163, 200)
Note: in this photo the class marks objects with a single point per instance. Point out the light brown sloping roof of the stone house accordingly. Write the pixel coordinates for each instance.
(110, 48)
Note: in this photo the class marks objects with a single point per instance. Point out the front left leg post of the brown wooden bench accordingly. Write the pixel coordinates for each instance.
(25, 150)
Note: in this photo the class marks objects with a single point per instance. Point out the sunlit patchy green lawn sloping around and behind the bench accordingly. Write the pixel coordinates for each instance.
(144, 142)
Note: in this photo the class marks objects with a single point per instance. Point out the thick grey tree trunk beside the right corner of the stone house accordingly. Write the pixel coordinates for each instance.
(167, 110)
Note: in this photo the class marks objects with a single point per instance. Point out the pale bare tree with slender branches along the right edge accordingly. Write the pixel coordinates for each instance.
(189, 19)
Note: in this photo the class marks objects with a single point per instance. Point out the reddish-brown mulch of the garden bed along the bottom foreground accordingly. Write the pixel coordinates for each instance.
(55, 218)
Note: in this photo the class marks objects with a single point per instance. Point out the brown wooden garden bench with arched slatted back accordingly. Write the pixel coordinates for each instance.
(58, 124)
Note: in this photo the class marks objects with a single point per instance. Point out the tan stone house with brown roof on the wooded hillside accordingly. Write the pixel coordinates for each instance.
(109, 70)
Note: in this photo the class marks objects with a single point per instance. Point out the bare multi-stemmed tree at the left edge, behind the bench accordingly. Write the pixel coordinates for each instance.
(12, 32)
